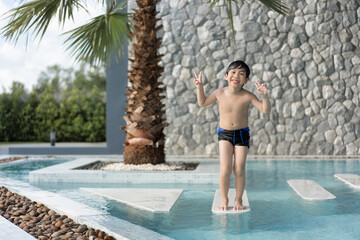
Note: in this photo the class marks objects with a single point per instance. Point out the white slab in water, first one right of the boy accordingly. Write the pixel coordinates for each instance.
(310, 190)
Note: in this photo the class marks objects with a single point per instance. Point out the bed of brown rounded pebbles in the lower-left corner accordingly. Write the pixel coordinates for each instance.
(42, 222)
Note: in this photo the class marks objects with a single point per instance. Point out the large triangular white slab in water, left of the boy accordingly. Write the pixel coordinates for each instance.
(154, 200)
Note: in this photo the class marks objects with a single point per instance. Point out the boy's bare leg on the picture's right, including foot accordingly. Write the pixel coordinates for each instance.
(240, 153)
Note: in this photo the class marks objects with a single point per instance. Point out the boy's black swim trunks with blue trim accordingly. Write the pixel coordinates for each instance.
(239, 137)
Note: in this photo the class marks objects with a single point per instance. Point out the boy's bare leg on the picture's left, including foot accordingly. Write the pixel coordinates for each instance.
(226, 150)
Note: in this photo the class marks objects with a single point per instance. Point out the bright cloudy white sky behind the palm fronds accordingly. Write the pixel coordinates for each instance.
(25, 63)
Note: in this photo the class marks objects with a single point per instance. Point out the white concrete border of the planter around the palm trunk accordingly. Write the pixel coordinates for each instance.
(207, 172)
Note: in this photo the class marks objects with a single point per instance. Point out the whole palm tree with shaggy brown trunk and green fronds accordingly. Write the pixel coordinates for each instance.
(95, 41)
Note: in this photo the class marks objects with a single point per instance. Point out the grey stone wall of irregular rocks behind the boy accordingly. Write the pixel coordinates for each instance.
(310, 61)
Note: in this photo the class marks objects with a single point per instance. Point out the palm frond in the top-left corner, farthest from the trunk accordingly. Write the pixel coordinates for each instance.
(37, 14)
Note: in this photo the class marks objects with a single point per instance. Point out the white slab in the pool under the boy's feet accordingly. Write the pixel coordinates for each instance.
(231, 195)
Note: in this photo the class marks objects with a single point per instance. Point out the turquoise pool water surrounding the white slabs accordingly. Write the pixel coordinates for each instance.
(277, 212)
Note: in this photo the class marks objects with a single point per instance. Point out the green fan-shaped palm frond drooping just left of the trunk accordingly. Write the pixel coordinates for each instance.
(95, 41)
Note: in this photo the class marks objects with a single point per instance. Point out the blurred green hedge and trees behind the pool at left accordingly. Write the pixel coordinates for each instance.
(72, 103)
